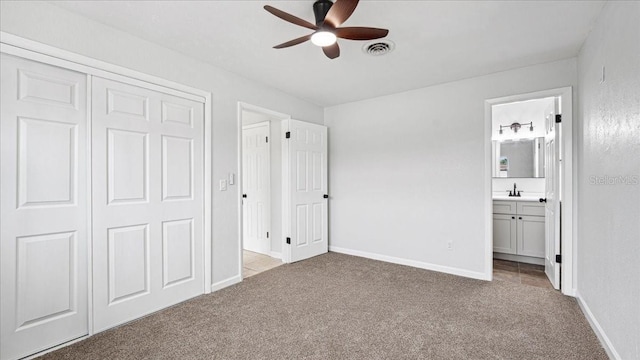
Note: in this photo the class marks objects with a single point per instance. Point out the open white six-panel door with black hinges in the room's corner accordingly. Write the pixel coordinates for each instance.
(305, 190)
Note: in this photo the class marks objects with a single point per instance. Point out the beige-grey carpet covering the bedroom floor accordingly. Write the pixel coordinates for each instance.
(343, 307)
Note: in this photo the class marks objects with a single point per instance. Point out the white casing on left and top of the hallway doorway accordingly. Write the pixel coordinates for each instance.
(273, 116)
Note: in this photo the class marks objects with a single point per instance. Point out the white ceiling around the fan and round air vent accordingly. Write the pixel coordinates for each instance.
(436, 41)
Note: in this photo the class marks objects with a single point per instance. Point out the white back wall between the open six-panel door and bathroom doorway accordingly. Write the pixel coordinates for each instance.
(407, 171)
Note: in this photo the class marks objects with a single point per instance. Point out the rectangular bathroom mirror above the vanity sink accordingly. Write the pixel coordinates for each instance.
(518, 158)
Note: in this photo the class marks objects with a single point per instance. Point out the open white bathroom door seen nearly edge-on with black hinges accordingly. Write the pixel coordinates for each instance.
(552, 205)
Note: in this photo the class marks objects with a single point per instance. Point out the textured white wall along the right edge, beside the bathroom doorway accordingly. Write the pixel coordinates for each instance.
(609, 214)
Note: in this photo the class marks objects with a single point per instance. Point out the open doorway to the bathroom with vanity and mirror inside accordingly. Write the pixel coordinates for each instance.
(530, 180)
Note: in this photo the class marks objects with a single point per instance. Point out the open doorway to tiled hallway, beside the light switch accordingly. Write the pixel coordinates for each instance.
(261, 188)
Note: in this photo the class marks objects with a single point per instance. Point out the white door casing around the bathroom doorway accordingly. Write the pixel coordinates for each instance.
(568, 188)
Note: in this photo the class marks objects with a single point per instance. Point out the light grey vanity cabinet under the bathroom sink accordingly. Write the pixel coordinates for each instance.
(518, 228)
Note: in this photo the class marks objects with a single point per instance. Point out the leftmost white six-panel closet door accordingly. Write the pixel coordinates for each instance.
(43, 214)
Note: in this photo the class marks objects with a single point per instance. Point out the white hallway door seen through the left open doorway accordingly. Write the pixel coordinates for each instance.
(256, 174)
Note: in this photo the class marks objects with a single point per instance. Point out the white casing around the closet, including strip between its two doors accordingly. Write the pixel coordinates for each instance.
(32, 50)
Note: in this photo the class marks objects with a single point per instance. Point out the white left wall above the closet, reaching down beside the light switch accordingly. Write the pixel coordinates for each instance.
(54, 26)
